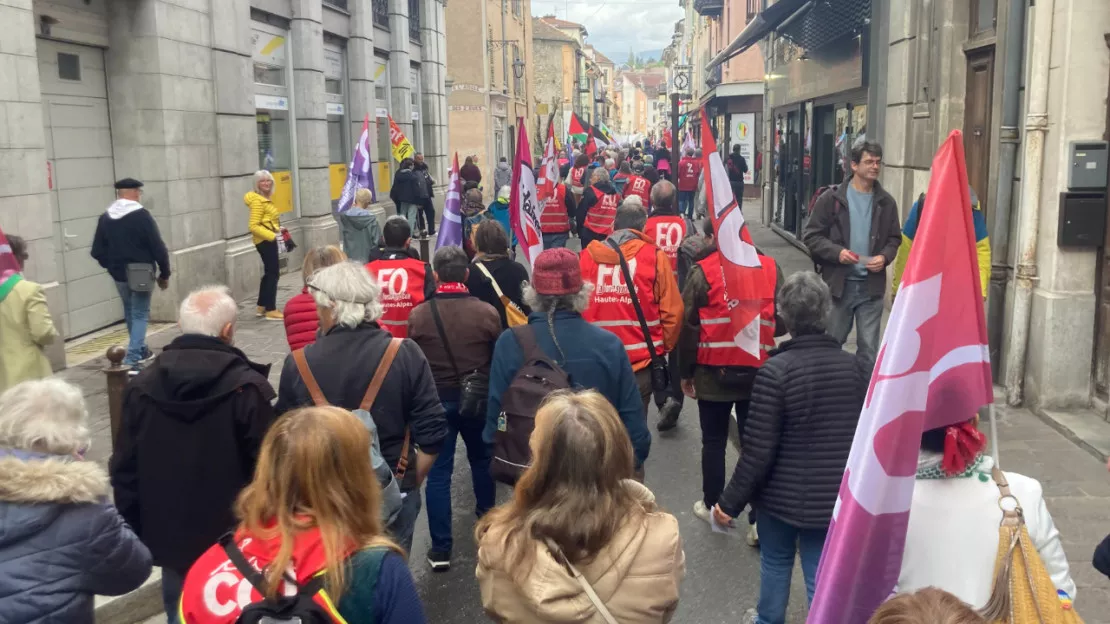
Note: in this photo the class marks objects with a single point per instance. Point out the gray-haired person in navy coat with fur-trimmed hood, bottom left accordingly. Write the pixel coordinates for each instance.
(62, 541)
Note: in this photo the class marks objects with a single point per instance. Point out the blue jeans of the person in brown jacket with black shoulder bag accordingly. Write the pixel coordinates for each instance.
(438, 490)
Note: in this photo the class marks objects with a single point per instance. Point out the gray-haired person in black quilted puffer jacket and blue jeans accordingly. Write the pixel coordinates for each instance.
(805, 405)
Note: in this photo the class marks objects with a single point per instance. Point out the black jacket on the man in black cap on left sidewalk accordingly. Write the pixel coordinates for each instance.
(130, 239)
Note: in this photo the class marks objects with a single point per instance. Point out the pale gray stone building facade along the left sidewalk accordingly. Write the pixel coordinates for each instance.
(193, 97)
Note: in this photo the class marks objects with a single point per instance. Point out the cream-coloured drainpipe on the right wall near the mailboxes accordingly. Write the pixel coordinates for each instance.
(1030, 217)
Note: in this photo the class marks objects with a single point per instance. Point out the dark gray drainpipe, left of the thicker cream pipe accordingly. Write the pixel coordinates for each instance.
(1010, 139)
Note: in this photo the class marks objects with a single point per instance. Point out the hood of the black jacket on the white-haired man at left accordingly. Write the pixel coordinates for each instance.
(194, 373)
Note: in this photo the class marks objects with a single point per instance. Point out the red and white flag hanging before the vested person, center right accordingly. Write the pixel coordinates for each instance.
(745, 286)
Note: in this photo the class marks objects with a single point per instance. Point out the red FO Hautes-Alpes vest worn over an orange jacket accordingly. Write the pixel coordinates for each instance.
(611, 305)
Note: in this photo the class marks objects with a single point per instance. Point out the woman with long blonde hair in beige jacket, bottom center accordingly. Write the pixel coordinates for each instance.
(578, 510)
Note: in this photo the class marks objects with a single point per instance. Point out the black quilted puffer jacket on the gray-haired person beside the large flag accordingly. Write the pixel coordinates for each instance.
(805, 406)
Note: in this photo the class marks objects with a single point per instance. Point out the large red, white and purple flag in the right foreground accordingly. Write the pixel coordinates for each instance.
(933, 370)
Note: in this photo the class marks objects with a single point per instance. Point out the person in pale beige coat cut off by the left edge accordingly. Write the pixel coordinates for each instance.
(25, 325)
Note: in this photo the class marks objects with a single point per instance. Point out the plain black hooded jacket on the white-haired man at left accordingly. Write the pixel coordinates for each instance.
(191, 429)
